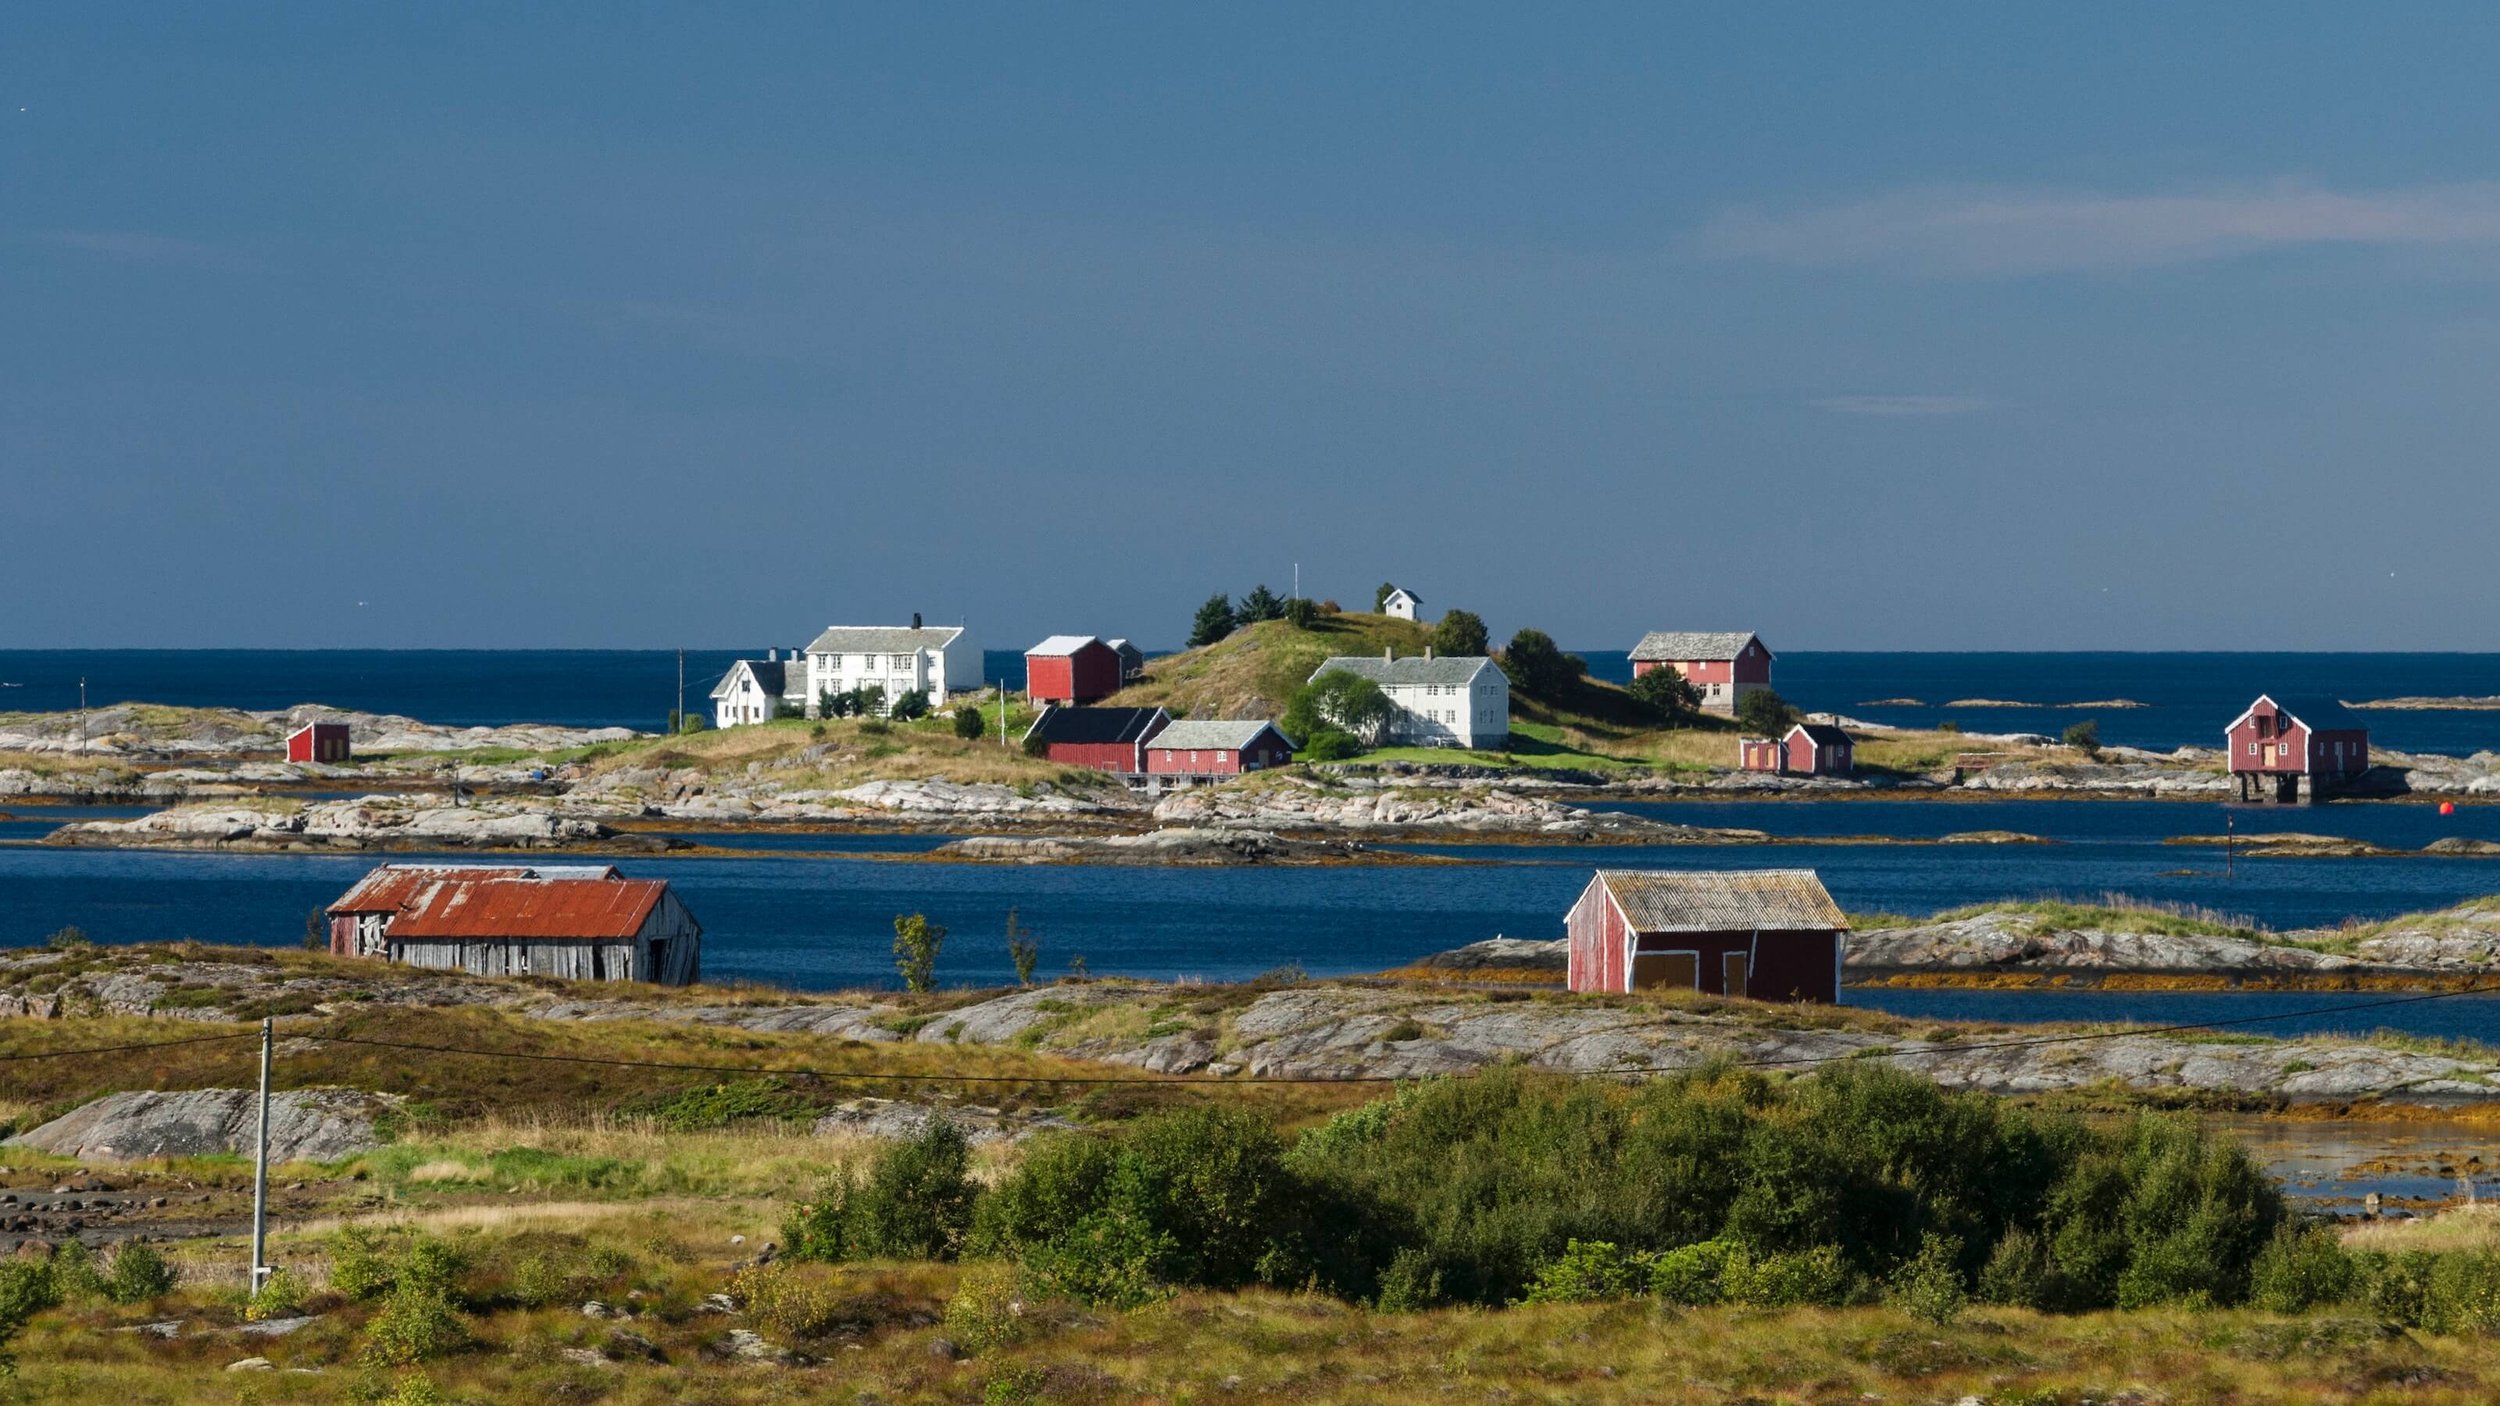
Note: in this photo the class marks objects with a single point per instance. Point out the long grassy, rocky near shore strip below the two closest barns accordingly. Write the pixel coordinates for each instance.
(1316, 1029)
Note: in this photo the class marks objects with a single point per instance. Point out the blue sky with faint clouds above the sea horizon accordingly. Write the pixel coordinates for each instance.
(1949, 326)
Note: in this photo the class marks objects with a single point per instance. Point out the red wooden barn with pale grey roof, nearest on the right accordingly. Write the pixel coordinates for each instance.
(1771, 934)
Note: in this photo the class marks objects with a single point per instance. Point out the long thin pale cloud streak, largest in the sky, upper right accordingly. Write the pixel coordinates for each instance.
(2006, 234)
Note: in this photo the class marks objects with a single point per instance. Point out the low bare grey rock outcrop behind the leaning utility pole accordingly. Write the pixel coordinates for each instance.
(309, 1125)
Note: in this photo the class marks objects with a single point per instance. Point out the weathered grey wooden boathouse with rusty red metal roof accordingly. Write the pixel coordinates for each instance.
(571, 922)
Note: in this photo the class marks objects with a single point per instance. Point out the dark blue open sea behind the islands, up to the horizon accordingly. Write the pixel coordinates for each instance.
(2186, 697)
